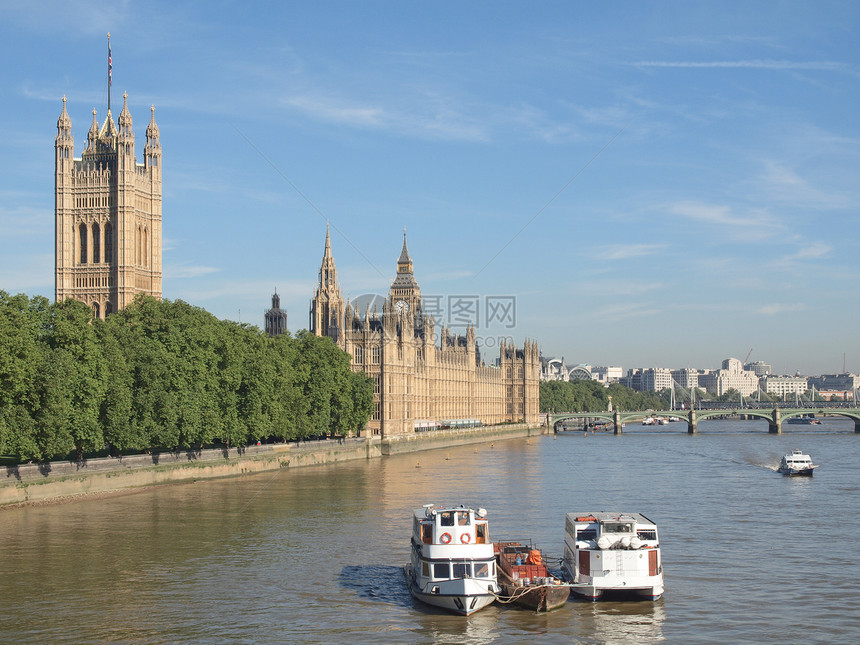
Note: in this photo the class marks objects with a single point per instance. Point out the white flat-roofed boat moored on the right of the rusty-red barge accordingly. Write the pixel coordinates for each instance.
(608, 552)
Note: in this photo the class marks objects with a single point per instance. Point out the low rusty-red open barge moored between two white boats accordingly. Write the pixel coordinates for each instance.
(525, 580)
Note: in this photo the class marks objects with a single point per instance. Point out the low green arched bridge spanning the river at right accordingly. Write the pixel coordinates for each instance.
(775, 416)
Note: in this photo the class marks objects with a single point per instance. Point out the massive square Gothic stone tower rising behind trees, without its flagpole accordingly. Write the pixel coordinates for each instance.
(107, 210)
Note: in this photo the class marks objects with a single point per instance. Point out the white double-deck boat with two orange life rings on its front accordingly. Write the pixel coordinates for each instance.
(453, 565)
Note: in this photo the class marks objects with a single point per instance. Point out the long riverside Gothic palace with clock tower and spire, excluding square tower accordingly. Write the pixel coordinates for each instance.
(418, 384)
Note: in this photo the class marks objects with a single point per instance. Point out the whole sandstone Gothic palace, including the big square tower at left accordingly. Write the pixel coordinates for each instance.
(108, 249)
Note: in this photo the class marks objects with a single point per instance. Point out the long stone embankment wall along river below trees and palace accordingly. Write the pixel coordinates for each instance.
(67, 480)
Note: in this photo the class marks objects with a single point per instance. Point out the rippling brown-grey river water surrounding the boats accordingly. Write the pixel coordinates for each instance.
(314, 555)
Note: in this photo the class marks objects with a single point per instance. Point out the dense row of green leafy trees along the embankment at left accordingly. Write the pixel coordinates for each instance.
(163, 375)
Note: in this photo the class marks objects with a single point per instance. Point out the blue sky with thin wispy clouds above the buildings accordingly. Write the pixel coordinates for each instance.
(635, 184)
